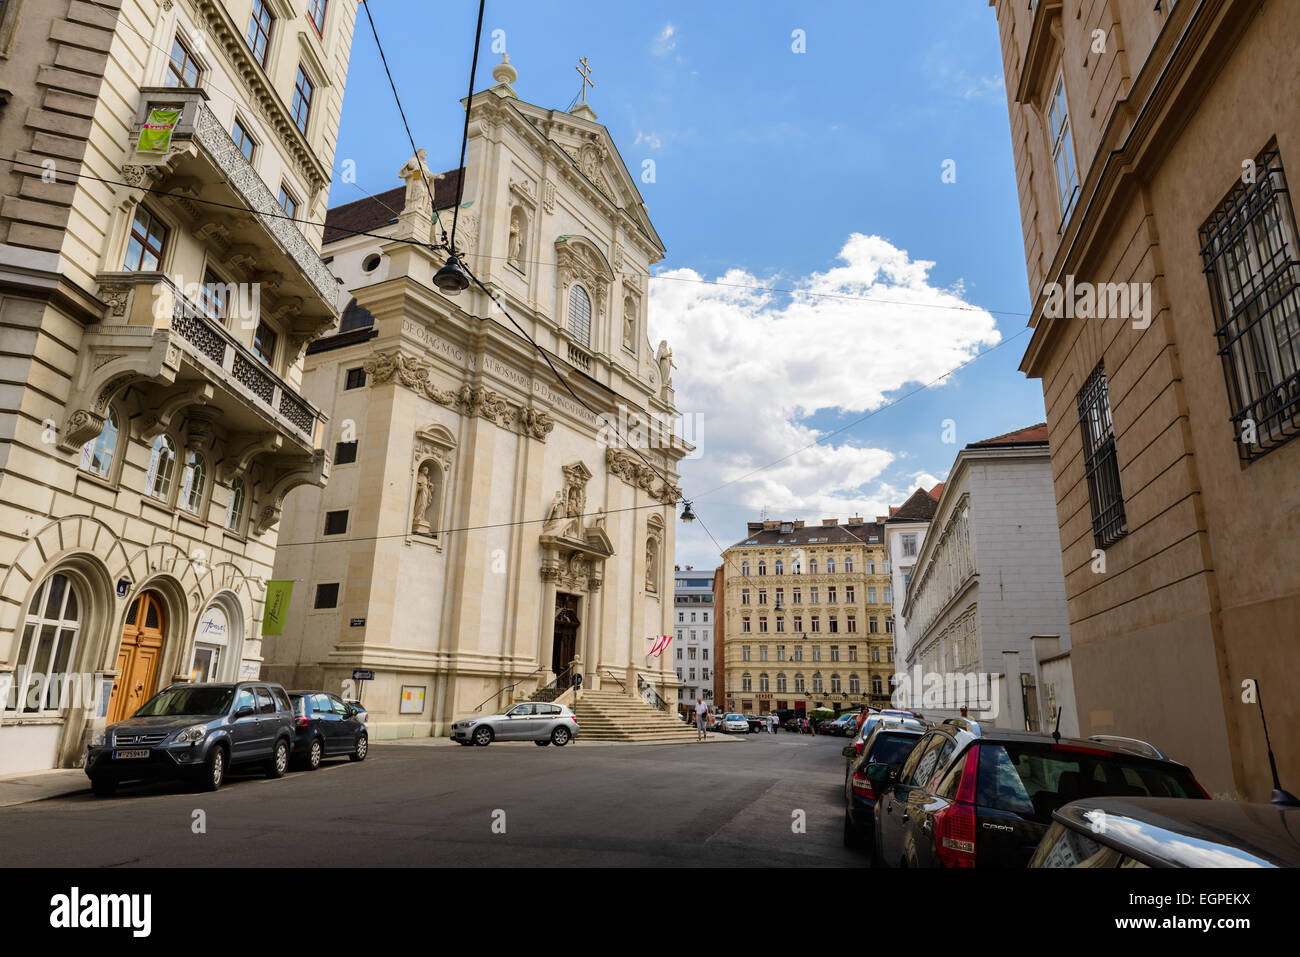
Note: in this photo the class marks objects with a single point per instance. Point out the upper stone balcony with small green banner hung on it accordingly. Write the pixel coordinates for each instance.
(203, 166)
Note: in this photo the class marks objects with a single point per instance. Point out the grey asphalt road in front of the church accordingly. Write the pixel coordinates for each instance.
(761, 802)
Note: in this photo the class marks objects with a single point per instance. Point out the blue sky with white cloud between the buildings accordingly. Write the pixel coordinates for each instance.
(768, 164)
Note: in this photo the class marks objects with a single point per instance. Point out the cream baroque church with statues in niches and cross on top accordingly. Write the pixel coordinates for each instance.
(486, 534)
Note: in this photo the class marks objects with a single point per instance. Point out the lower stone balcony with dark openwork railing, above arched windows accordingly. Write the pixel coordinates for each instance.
(197, 378)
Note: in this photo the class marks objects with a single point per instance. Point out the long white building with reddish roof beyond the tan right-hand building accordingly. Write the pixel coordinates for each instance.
(987, 590)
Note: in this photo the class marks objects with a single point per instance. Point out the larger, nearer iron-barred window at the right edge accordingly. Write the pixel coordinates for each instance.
(1249, 248)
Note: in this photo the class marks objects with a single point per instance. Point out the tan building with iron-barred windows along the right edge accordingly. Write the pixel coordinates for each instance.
(1152, 145)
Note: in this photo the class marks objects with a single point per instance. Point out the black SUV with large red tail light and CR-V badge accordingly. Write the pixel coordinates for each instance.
(970, 796)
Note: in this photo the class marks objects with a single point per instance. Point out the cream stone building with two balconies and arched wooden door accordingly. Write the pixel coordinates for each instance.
(158, 291)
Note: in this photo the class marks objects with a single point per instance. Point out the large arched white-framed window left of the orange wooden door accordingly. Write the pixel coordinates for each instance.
(49, 644)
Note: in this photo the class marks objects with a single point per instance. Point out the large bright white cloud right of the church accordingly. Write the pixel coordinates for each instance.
(756, 363)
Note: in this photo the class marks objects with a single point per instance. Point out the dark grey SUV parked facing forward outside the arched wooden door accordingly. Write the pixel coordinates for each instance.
(196, 733)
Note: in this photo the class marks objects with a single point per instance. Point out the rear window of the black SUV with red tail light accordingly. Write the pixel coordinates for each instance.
(1035, 780)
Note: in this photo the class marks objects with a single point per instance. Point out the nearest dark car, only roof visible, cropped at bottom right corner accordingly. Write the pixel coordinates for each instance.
(1168, 833)
